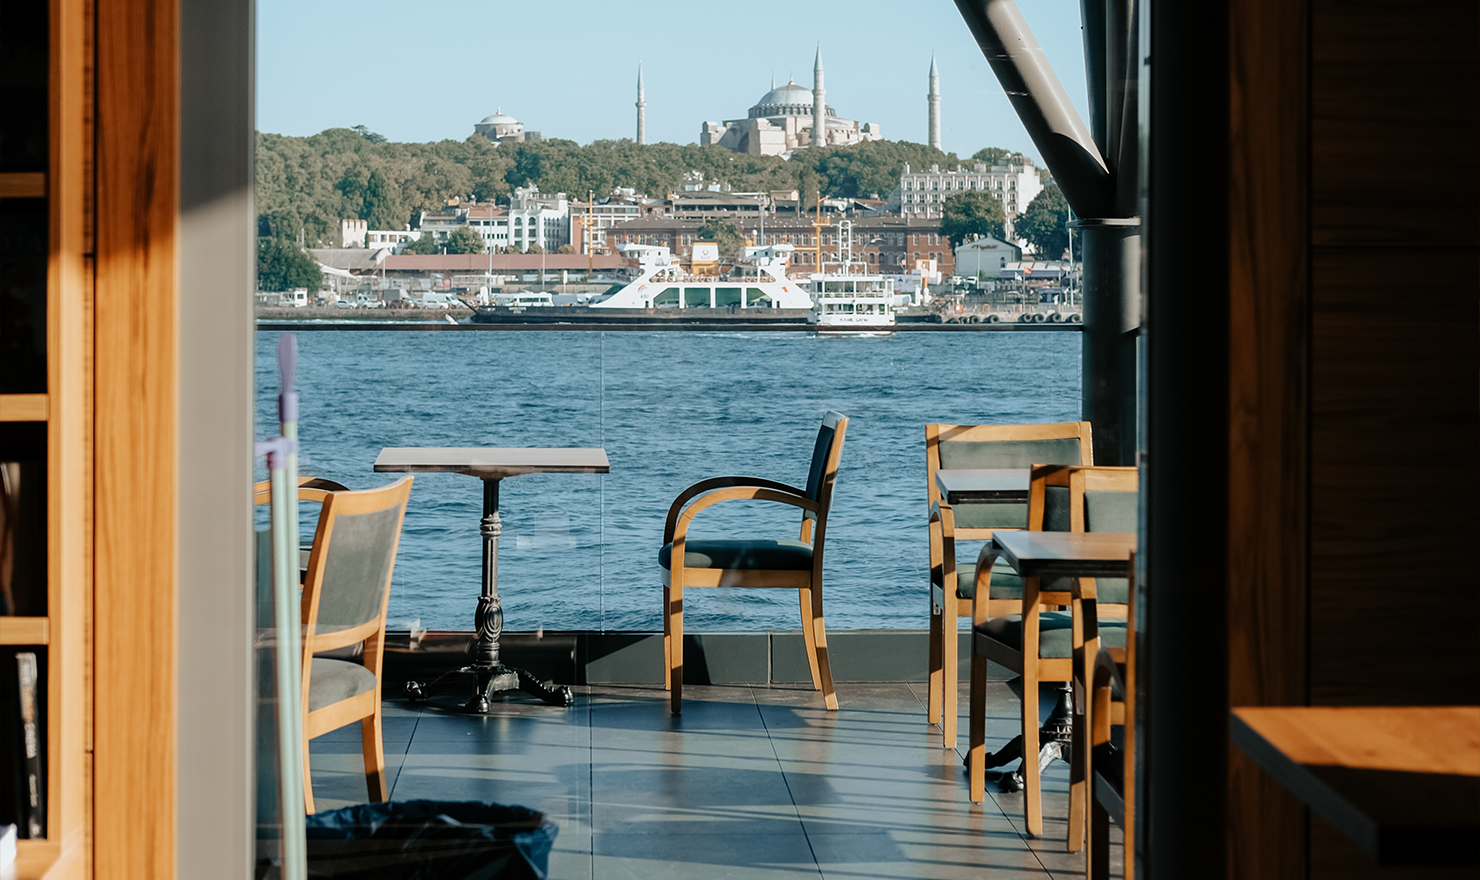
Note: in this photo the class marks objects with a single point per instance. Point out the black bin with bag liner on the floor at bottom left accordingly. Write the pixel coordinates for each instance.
(428, 841)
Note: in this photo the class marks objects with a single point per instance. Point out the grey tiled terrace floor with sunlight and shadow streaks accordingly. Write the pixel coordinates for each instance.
(750, 783)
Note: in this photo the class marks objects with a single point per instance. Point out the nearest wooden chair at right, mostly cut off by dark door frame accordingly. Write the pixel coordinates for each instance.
(1111, 768)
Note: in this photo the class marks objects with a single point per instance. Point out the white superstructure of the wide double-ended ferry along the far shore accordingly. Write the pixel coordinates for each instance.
(664, 285)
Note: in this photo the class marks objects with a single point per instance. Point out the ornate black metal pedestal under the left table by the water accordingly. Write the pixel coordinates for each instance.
(488, 672)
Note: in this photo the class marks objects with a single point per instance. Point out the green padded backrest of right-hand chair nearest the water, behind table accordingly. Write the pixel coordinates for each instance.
(1001, 446)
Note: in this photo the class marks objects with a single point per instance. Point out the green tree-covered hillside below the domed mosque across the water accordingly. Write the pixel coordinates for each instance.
(310, 184)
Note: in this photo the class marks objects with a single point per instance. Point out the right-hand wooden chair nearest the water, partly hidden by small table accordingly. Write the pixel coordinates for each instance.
(966, 447)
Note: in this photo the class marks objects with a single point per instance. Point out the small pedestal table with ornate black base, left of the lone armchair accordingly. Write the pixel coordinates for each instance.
(491, 465)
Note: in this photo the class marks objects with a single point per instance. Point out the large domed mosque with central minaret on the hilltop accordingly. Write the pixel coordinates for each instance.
(788, 119)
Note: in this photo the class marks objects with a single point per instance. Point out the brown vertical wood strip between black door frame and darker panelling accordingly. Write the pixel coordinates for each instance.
(1269, 319)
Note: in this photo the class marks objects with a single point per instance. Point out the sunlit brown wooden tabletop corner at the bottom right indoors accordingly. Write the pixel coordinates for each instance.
(1402, 783)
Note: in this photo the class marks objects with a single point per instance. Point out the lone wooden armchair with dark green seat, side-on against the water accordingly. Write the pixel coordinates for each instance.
(754, 563)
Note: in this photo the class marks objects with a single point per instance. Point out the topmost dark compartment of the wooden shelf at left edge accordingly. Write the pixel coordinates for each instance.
(24, 48)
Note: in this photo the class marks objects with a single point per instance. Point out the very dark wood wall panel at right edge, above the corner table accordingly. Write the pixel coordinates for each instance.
(1396, 397)
